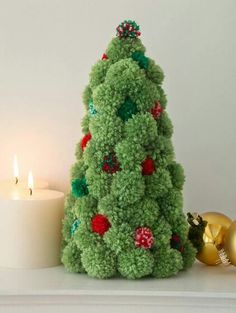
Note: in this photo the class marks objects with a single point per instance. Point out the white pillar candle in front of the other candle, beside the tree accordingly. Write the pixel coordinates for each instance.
(30, 228)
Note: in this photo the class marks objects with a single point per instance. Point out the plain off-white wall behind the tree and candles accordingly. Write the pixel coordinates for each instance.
(47, 48)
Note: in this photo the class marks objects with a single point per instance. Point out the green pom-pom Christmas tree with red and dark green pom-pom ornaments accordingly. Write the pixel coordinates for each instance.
(124, 213)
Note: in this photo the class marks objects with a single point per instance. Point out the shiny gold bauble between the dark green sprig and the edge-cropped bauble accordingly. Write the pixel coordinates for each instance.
(213, 237)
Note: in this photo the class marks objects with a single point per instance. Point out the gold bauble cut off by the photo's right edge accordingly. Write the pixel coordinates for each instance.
(230, 243)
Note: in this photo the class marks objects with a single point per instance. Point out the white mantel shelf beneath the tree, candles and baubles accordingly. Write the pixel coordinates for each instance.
(53, 290)
